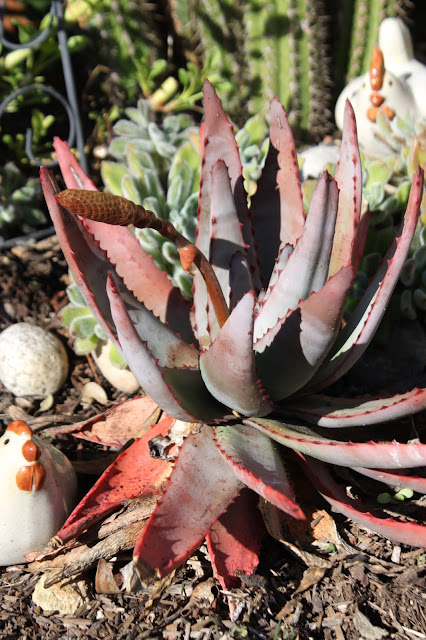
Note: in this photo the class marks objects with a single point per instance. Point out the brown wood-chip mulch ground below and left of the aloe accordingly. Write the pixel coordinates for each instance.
(357, 586)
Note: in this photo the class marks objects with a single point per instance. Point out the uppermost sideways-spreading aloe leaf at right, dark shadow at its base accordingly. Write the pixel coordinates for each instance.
(326, 411)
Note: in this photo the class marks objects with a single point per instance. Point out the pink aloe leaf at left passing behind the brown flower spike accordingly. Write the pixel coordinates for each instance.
(140, 274)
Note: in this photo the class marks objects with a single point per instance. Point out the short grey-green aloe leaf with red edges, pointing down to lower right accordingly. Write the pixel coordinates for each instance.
(255, 460)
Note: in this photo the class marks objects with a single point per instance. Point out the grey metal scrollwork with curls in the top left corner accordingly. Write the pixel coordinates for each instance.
(70, 104)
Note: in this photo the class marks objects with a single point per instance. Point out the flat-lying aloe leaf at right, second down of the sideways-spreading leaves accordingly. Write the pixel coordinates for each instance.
(377, 455)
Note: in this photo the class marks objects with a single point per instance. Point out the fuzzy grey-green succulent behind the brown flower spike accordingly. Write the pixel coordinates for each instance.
(157, 166)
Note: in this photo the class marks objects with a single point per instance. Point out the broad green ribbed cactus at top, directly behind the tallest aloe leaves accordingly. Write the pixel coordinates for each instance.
(273, 48)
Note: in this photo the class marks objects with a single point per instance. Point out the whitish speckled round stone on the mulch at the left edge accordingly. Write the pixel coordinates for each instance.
(33, 362)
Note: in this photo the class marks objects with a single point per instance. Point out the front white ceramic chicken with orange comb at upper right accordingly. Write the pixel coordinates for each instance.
(378, 90)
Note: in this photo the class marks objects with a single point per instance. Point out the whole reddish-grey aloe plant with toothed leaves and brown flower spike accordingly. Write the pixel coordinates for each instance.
(244, 370)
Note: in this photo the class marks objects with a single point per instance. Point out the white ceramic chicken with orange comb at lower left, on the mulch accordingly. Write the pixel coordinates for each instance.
(38, 487)
